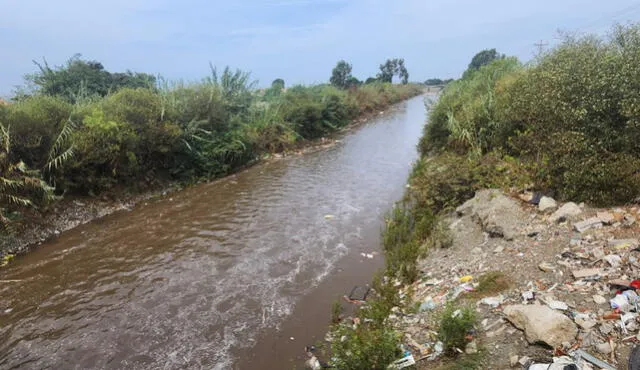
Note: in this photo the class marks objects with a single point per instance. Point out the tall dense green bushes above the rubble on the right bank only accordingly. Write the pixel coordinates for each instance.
(570, 118)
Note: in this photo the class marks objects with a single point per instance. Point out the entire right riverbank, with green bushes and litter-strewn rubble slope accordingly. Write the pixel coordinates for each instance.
(462, 261)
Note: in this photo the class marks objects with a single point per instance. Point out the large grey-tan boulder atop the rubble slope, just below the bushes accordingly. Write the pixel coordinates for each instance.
(498, 214)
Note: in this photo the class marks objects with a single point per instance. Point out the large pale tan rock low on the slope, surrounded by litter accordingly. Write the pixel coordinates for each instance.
(541, 324)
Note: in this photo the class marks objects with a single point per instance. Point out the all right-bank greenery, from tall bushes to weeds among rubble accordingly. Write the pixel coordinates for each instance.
(568, 122)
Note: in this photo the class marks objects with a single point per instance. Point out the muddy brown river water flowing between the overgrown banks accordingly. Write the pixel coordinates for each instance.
(235, 274)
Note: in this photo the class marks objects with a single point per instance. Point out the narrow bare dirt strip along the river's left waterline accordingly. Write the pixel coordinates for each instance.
(73, 211)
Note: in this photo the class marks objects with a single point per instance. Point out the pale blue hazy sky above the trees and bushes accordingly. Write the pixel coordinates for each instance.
(297, 40)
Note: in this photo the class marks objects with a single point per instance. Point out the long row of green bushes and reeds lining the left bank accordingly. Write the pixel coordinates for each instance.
(87, 131)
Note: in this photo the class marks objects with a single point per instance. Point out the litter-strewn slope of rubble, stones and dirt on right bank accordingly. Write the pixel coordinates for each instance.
(572, 277)
